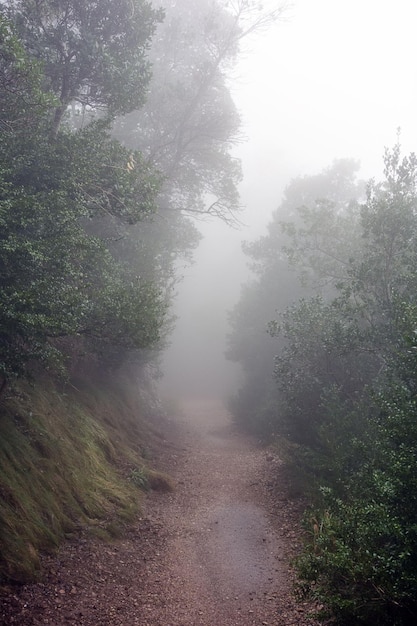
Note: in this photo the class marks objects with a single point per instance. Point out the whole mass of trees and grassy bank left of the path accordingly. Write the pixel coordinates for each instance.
(113, 133)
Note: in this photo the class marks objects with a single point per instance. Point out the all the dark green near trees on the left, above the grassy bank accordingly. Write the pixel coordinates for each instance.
(57, 280)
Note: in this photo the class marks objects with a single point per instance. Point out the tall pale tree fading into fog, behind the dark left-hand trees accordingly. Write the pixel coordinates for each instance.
(190, 122)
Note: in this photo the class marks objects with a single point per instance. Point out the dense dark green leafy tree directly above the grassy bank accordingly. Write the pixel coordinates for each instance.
(56, 280)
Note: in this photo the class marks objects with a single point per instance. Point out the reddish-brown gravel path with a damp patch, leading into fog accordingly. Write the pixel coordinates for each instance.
(215, 551)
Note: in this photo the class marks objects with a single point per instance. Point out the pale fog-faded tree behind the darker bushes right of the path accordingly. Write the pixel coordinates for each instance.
(308, 231)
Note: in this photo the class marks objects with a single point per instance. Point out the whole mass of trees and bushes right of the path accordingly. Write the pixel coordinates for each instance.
(342, 394)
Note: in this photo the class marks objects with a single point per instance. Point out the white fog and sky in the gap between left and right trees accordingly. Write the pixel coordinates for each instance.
(330, 80)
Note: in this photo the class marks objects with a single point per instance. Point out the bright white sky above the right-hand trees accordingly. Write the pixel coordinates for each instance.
(335, 79)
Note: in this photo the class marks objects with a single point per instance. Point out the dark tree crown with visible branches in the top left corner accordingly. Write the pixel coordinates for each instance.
(92, 53)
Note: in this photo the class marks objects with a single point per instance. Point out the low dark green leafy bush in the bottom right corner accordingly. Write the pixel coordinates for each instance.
(360, 562)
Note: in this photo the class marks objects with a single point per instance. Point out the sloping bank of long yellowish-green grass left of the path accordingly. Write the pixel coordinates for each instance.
(68, 461)
